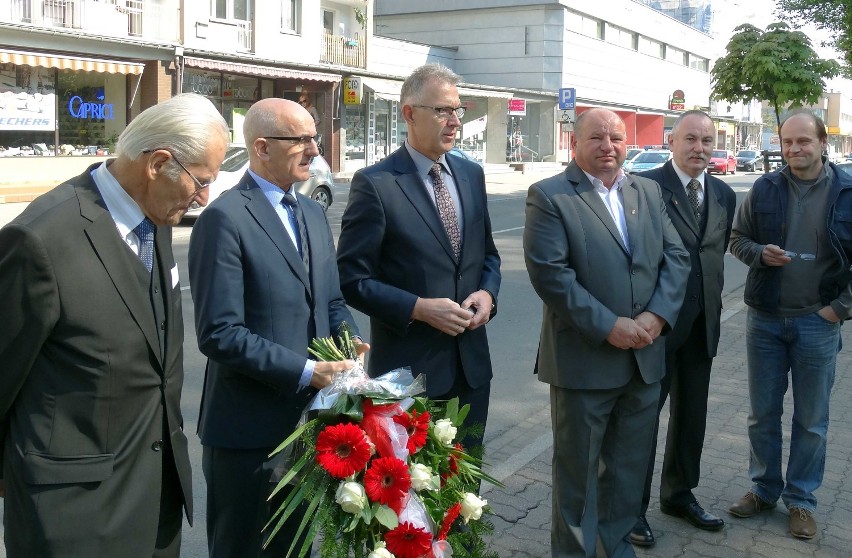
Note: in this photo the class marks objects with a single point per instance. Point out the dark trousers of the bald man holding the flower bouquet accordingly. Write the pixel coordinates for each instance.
(238, 486)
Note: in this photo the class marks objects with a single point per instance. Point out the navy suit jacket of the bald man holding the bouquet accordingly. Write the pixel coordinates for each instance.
(256, 311)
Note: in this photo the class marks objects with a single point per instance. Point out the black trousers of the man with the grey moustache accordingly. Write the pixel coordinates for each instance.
(687, 386)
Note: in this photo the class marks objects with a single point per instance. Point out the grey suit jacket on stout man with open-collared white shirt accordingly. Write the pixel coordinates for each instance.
(586, 278)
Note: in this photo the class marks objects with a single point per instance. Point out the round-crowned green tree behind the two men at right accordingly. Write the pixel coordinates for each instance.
(777, 65)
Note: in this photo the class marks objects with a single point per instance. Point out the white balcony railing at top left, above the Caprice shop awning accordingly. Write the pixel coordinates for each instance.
(114, 18)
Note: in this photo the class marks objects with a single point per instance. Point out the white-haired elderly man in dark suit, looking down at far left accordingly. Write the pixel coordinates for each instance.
(94, 458)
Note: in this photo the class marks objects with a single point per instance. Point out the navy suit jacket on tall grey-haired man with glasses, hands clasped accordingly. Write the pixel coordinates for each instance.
(393, 248)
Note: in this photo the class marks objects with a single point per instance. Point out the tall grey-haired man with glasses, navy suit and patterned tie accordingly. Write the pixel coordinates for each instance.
(416, 253)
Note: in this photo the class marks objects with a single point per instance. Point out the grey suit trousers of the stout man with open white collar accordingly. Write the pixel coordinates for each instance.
(601, 445)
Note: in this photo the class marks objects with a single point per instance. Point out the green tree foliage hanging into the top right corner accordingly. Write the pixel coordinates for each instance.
(833, 16)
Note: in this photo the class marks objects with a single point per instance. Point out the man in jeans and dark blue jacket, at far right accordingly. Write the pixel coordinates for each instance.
(794, 231)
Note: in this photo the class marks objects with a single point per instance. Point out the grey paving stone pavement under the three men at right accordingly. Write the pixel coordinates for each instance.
(522, 458)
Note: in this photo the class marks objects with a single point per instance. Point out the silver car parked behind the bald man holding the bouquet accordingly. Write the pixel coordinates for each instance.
(319, 187)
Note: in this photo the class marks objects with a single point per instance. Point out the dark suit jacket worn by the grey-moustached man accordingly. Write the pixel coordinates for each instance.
(706, 251)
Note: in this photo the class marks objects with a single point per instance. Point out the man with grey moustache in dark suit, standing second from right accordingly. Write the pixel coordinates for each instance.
(701, 208)
